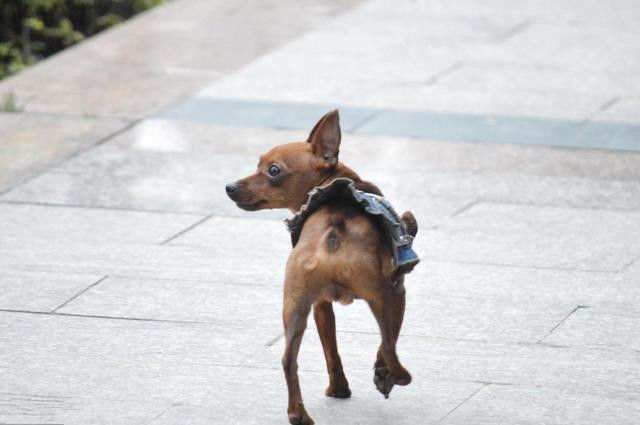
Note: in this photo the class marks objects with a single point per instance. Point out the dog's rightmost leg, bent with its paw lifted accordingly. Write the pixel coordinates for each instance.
(390, 313)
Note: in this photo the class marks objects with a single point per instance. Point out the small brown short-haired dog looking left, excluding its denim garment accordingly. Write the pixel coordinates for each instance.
(341, 254)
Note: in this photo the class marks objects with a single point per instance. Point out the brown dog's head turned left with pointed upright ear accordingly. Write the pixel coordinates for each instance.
(287, 173)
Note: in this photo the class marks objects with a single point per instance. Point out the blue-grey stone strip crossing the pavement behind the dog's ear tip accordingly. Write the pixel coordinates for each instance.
(488, 128)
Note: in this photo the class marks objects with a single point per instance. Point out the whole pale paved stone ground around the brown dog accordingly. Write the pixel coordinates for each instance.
(133, 292)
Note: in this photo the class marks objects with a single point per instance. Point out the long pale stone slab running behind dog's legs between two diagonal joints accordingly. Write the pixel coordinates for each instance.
(470, 313)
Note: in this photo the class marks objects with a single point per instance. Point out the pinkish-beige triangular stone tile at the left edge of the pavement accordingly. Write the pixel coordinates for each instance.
(53, 138)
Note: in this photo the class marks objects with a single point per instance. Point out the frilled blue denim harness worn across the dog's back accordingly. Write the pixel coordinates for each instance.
(404, 257)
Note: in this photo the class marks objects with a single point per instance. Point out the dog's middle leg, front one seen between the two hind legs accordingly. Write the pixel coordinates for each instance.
(326, 324)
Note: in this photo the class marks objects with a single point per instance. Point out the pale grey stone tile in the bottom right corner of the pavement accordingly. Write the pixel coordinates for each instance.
(495, 405)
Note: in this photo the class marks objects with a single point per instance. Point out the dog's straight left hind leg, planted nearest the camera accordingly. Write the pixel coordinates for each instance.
(295, 312)
